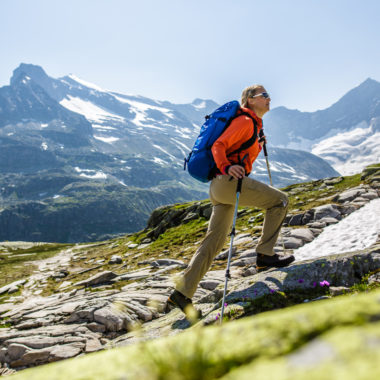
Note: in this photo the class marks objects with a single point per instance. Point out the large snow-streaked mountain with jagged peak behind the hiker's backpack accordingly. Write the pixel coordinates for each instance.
(101, 160)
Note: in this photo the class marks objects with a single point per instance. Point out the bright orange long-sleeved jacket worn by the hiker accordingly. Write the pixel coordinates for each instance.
(239, 131)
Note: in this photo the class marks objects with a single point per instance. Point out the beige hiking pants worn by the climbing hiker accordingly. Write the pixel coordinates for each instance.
(223, 198)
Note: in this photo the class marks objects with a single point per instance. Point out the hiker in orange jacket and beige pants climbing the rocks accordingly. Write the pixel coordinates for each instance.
(256, 102)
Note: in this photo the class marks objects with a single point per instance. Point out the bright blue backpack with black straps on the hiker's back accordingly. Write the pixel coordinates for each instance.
(200, 161)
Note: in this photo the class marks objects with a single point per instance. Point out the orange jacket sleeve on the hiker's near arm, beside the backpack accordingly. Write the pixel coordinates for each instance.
(231, 139)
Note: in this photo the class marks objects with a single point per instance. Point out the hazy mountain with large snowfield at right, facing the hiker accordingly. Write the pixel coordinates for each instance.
(345, 134)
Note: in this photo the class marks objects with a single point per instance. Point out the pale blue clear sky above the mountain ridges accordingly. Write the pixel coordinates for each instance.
(308, 53)
